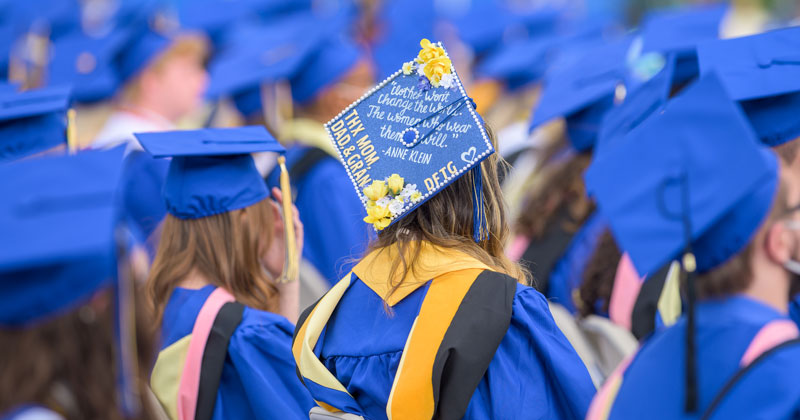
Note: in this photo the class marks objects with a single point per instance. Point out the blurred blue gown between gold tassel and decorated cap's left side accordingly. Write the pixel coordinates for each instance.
(332, 215)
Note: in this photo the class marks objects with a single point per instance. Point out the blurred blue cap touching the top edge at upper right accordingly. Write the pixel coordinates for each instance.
(678, 31)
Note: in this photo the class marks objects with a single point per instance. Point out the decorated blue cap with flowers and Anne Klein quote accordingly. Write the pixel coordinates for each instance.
(411, 136)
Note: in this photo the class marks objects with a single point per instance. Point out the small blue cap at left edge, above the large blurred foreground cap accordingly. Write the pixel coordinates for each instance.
(32, 122)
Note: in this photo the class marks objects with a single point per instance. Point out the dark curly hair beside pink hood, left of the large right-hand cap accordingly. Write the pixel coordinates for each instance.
(598, 276)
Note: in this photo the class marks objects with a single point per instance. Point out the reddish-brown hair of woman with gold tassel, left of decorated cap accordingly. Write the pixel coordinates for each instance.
(225, 248)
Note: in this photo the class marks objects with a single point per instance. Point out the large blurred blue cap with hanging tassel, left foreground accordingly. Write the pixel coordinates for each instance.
(62, 243)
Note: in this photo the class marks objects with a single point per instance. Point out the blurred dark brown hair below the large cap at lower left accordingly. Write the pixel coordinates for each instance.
(75, 353)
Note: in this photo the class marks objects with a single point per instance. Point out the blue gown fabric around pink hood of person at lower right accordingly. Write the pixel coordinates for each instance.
(653, 387)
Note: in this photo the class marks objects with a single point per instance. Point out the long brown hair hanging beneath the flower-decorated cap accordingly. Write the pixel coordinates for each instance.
(445, 220)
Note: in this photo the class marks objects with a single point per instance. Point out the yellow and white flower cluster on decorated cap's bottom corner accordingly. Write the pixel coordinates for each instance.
(386, 200)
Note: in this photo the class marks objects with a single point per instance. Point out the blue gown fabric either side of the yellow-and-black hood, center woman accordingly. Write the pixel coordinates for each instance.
(555, 383)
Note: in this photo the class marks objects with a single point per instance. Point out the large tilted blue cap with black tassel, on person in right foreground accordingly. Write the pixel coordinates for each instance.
(678, 180)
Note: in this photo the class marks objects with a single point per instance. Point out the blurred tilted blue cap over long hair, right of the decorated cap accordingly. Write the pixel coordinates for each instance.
(583, 90)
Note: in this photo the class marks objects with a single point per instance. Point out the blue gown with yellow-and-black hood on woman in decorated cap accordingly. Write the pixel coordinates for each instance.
(531, 371)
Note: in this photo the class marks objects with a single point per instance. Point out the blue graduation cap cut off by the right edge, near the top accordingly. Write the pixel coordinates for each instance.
(762, 72)
